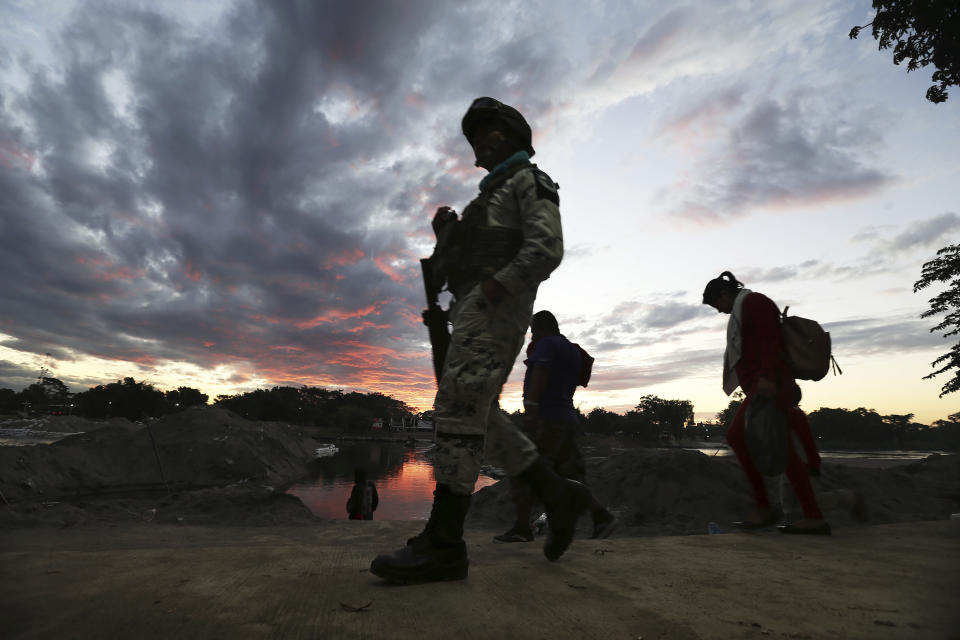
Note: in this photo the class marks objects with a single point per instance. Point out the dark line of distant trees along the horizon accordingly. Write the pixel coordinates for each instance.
(653, 421)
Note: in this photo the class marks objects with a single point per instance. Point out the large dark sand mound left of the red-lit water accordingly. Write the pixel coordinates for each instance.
(200, 447)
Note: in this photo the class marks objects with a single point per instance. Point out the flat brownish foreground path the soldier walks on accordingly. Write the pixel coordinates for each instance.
(166, 581)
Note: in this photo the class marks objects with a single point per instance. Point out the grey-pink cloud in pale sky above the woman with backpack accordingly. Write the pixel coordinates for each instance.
(779, 152)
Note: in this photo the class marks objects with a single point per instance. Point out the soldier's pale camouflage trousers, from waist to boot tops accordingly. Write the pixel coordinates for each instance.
(485, 342)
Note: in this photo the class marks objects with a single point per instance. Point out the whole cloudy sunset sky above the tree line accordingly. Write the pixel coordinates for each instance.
(233, 195)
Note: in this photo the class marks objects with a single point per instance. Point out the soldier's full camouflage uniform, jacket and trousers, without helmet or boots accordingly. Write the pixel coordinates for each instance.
(486, 339)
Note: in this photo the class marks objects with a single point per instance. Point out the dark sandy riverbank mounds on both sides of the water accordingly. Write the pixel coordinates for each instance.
(221, 469)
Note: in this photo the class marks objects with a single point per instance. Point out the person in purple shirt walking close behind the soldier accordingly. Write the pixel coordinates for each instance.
(555, 366)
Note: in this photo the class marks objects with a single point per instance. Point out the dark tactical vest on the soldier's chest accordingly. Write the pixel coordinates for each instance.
(470, 249)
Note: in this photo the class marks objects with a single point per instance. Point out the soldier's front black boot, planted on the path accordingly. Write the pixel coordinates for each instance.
(438, 552)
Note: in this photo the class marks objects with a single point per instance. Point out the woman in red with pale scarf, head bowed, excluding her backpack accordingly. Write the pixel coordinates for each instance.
(755, 361)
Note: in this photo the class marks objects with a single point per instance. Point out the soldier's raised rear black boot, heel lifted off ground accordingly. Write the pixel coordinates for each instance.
(563, 499)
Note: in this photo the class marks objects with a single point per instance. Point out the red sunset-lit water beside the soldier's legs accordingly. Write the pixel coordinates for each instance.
(403, 475)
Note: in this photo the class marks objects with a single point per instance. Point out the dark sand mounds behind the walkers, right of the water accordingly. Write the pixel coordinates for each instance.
(675, 491)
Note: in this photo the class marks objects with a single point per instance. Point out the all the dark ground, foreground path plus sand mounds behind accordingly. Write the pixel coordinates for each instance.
(95, 543)
